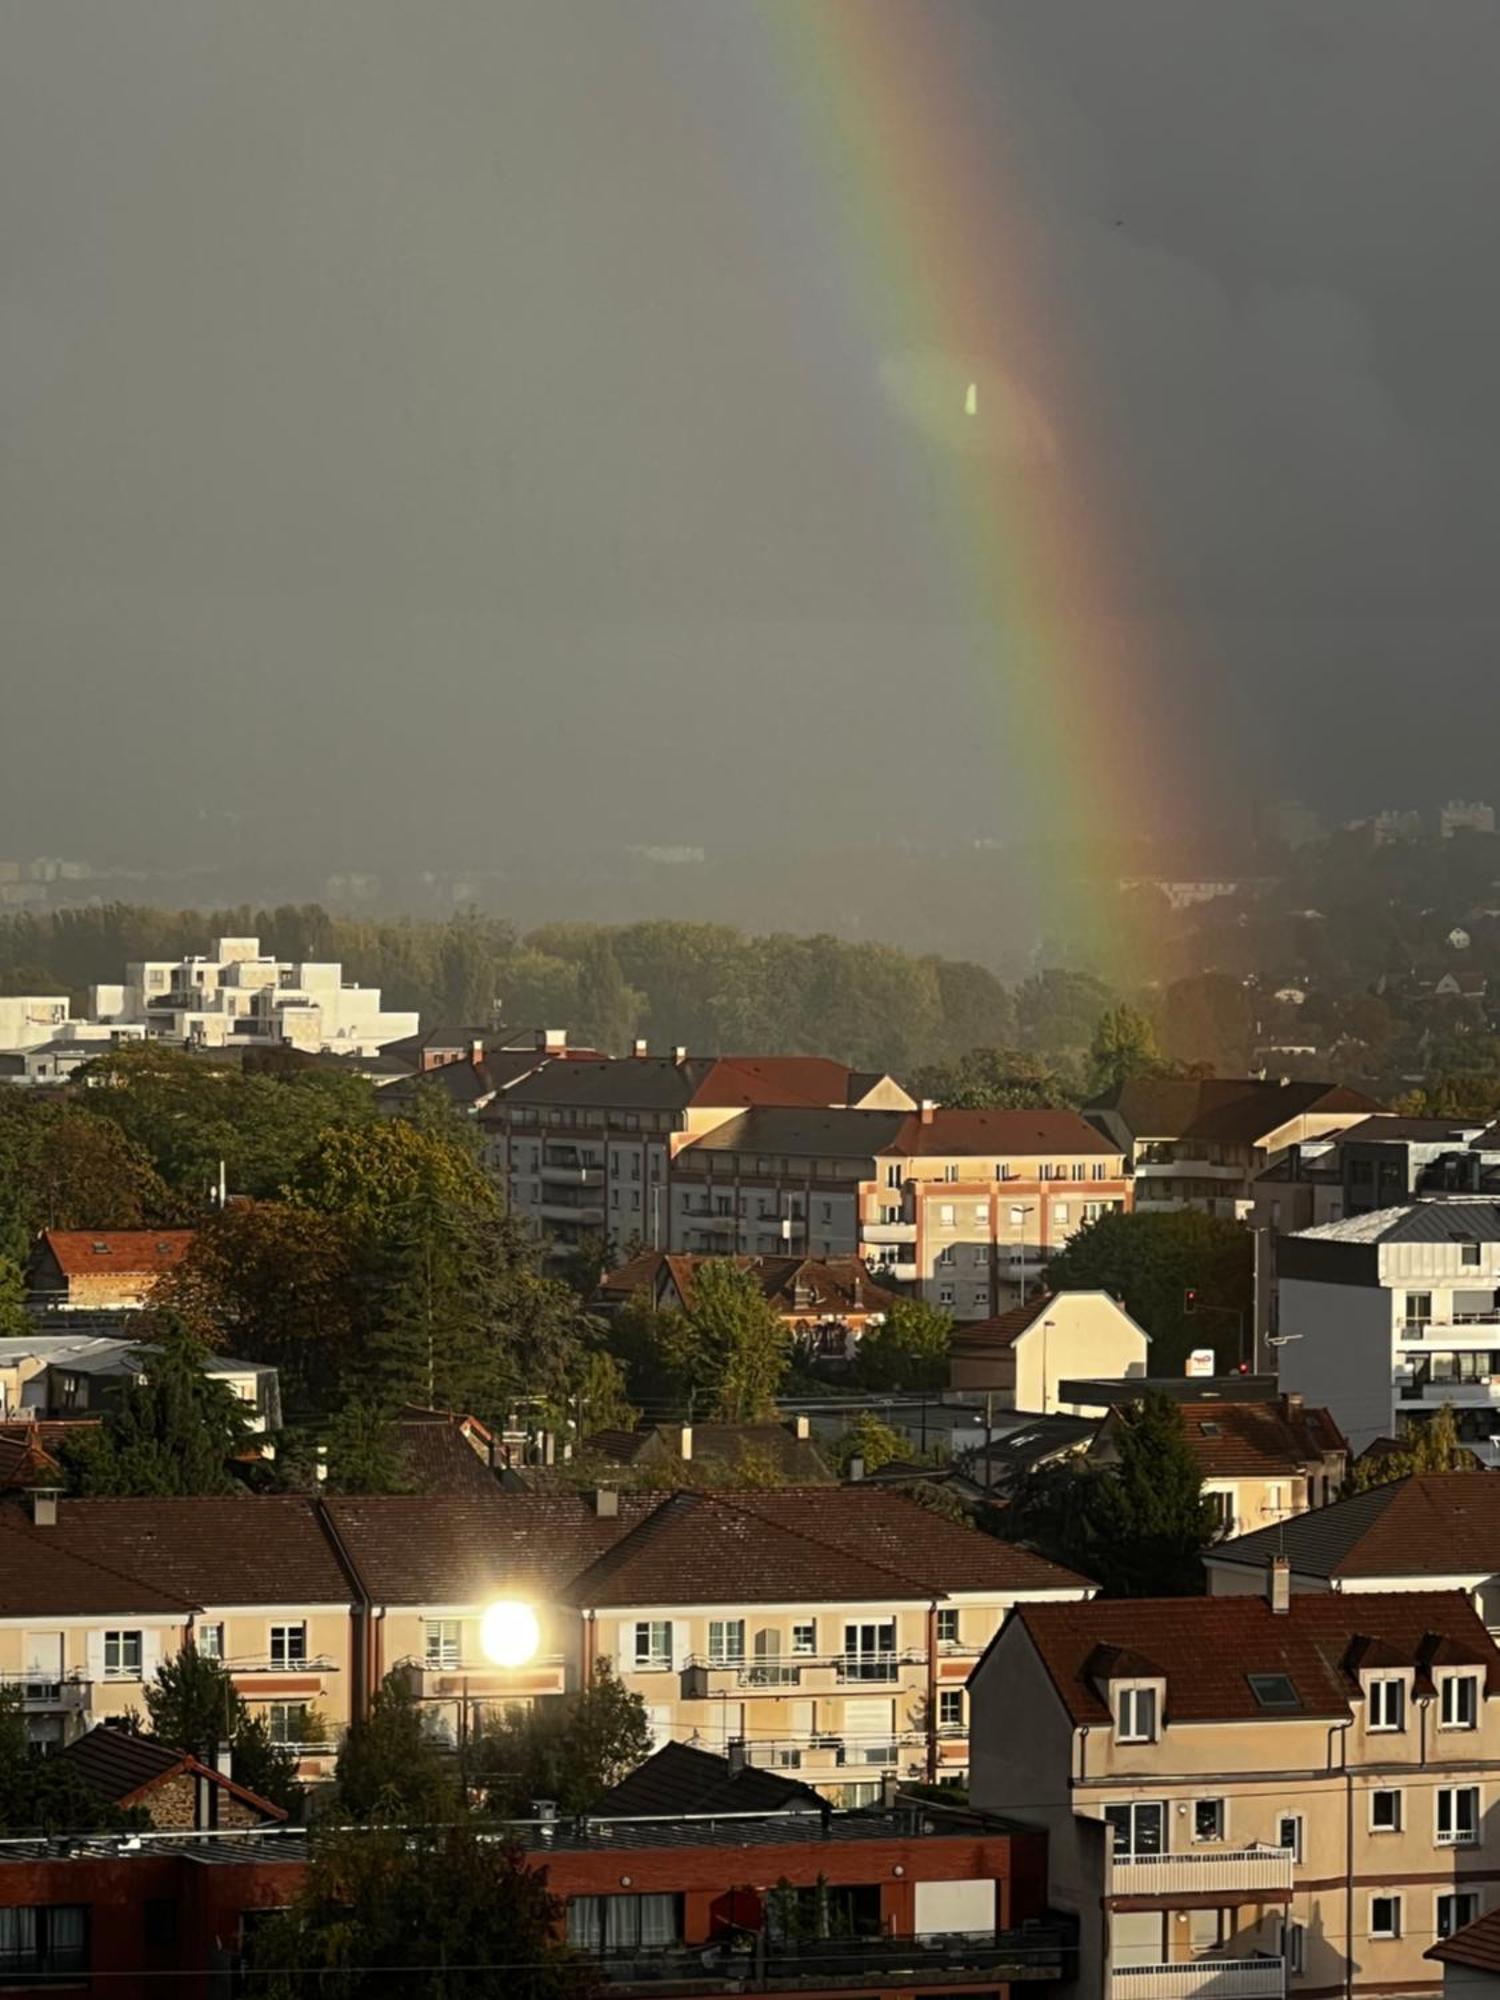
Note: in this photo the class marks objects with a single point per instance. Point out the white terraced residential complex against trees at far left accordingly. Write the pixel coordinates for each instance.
(231, 999)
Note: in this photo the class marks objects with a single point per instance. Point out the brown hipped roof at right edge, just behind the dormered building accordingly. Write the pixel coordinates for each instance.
(1429, 1525)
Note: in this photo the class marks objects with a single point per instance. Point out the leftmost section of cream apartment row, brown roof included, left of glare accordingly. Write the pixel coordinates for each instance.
(97, 1593)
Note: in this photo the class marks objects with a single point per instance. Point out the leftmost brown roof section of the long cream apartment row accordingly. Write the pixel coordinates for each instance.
(205, 1551)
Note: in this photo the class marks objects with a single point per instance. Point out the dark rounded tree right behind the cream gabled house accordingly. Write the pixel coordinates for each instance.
(1151, 1265)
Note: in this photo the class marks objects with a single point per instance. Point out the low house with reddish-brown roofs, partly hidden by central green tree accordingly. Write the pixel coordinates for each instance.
(829, 1303)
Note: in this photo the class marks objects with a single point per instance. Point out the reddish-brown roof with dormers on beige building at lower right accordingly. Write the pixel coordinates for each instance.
(1209, 1647)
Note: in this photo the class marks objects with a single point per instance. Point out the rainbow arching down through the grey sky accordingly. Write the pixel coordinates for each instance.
(917, 193)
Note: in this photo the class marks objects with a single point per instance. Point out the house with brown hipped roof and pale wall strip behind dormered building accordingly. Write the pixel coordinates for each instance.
(1435, 1531)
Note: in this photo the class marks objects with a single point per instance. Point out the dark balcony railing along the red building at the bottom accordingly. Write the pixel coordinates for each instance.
(767, 1965)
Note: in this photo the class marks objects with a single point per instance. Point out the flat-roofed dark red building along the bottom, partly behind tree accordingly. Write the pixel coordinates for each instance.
(887, 1903)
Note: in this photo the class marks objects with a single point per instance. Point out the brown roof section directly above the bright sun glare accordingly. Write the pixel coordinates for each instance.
(447, 1551)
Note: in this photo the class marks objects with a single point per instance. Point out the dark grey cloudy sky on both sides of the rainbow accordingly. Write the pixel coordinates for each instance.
(429, 429)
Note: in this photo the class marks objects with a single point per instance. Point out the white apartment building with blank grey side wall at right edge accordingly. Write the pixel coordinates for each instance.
(1387, 1317)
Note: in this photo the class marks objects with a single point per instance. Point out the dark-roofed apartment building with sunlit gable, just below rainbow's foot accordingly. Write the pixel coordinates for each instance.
(1203, 1143)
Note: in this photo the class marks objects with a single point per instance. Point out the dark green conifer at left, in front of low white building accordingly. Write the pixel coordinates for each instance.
(173, 1429)
